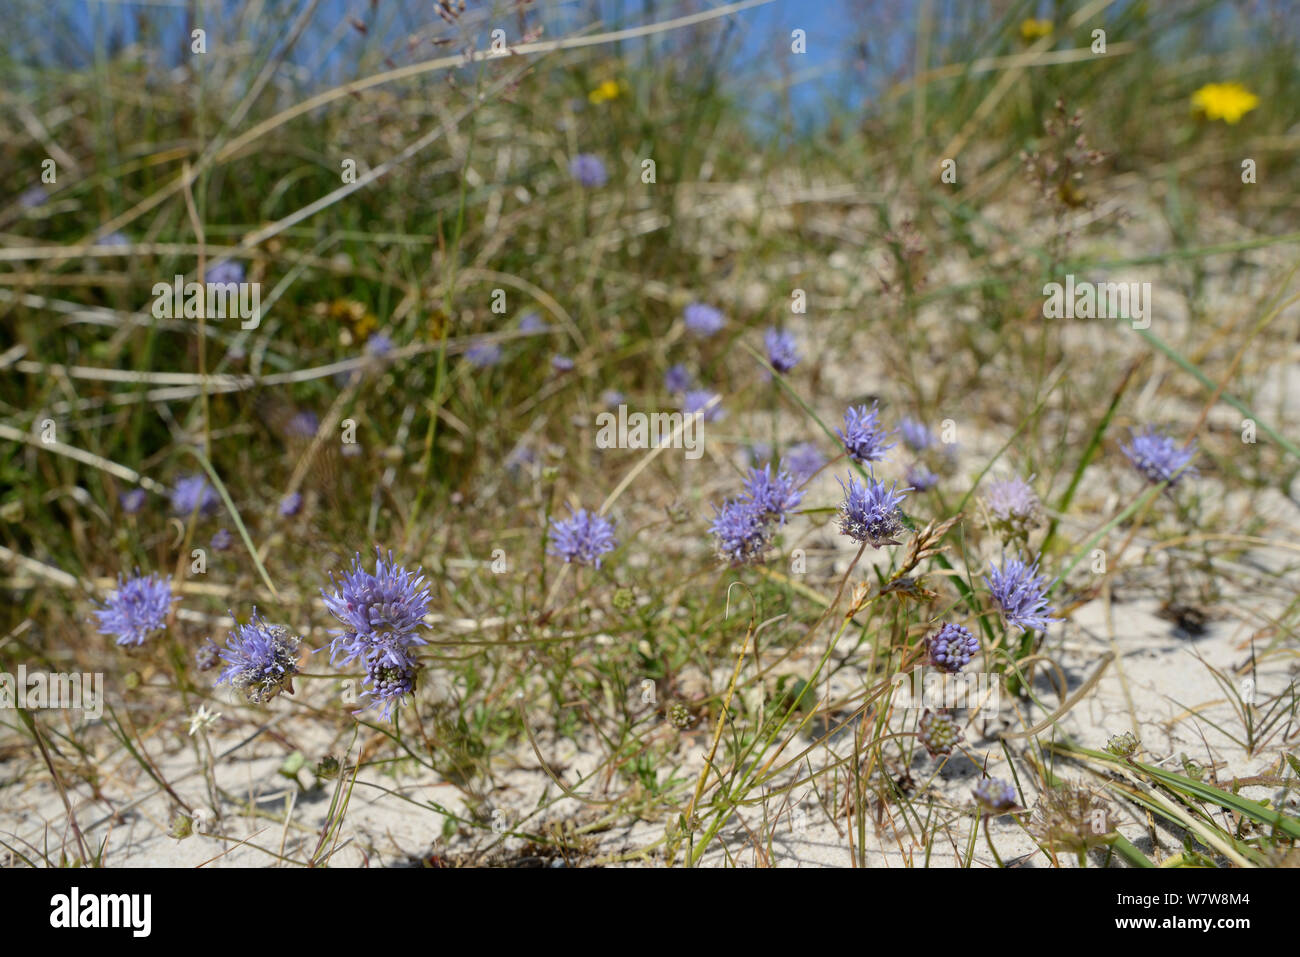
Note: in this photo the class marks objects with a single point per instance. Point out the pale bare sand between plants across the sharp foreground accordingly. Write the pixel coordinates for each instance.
(1160, 687)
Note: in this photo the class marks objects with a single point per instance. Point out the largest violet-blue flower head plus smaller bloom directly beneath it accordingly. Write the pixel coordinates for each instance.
(382, 614)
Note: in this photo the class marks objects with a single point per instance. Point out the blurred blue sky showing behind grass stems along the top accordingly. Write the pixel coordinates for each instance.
(855, 47)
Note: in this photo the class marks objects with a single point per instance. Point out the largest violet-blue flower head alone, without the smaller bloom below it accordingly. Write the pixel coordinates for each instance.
(382, 612)
